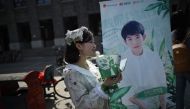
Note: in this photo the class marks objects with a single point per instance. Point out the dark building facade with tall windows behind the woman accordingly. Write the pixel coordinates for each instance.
(32, 13)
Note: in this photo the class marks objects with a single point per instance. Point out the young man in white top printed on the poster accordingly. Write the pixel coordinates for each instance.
(144, 71)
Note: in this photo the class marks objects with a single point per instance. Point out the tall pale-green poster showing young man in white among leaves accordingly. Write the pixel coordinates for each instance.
(148, 73)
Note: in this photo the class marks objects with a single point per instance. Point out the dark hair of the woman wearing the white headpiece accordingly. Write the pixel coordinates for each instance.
(72, 53)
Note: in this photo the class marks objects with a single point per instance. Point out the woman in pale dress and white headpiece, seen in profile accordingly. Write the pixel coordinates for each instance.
(81, 76)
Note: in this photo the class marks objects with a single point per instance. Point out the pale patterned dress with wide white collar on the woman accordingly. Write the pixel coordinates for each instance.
(84, 87)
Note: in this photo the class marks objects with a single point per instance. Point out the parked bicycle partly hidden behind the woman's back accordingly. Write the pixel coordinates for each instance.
(59, 86)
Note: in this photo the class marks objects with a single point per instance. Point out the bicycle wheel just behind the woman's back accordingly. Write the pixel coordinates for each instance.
(61, 90)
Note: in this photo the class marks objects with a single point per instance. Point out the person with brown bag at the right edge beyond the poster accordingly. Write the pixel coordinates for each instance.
(181, 53)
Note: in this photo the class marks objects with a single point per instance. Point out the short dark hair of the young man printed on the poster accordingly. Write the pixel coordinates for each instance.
(131, 28)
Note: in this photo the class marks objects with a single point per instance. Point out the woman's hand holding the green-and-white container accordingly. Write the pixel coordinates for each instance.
(112, 80)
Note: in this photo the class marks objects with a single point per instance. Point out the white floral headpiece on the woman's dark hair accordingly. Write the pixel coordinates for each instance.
(75, 35)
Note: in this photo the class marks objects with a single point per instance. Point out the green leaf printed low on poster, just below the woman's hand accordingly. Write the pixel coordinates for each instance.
(119, 93)
